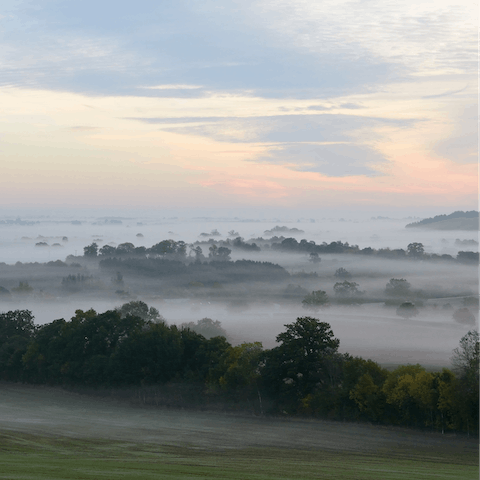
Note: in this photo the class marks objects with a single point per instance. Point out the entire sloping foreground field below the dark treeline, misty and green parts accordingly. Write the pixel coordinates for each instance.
(47, 433)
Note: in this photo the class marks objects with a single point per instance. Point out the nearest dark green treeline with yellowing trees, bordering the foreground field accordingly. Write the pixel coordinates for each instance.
(133, 349)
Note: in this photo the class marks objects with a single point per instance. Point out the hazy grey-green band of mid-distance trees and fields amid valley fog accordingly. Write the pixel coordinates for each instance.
(206, 272)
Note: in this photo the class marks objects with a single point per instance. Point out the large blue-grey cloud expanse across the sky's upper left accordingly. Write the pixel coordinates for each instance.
(173, 49)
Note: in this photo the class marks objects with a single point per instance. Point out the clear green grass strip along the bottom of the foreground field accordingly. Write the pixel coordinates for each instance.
(25, 456)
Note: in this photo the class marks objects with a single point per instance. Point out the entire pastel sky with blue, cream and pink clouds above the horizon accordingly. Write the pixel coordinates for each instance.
(352, 105)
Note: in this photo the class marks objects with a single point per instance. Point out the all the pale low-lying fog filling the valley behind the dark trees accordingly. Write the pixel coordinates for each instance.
(370, 330)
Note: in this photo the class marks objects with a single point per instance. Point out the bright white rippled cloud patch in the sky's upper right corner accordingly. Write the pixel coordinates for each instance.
(420, 36)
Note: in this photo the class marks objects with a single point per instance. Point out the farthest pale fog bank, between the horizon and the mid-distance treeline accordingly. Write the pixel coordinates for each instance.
(19, 235)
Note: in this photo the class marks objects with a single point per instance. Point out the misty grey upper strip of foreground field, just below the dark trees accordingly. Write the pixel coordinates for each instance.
(55, 412)
